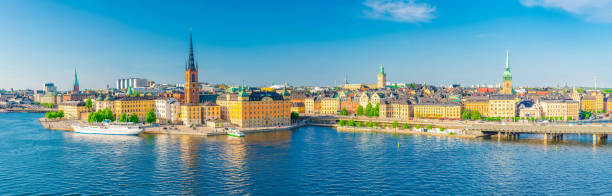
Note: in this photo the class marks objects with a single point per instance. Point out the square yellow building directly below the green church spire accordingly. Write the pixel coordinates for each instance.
(503, 106)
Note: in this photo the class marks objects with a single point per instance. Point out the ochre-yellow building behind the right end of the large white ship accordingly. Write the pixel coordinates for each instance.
(134, 105)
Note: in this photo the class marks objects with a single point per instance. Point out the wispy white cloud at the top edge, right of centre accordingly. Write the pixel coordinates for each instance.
(400, 10)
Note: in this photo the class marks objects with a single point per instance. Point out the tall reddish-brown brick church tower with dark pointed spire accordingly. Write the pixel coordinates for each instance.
(192, 89)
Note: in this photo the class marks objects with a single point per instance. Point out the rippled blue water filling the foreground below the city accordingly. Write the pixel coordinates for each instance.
(305, 161)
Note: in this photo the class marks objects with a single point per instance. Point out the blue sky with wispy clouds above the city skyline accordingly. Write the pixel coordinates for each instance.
(315, 42)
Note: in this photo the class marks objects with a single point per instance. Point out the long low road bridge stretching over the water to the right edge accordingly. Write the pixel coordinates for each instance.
(599, 132)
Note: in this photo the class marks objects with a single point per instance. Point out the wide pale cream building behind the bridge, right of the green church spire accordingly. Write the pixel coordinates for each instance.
(564, 109)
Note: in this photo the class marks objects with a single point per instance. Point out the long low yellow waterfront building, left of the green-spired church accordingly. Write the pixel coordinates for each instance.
(439, 110)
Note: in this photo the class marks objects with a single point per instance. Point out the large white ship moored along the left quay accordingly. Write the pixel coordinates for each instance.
(108, 128)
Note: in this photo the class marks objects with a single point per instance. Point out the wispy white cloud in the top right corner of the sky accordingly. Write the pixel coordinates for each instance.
(591, 10)
